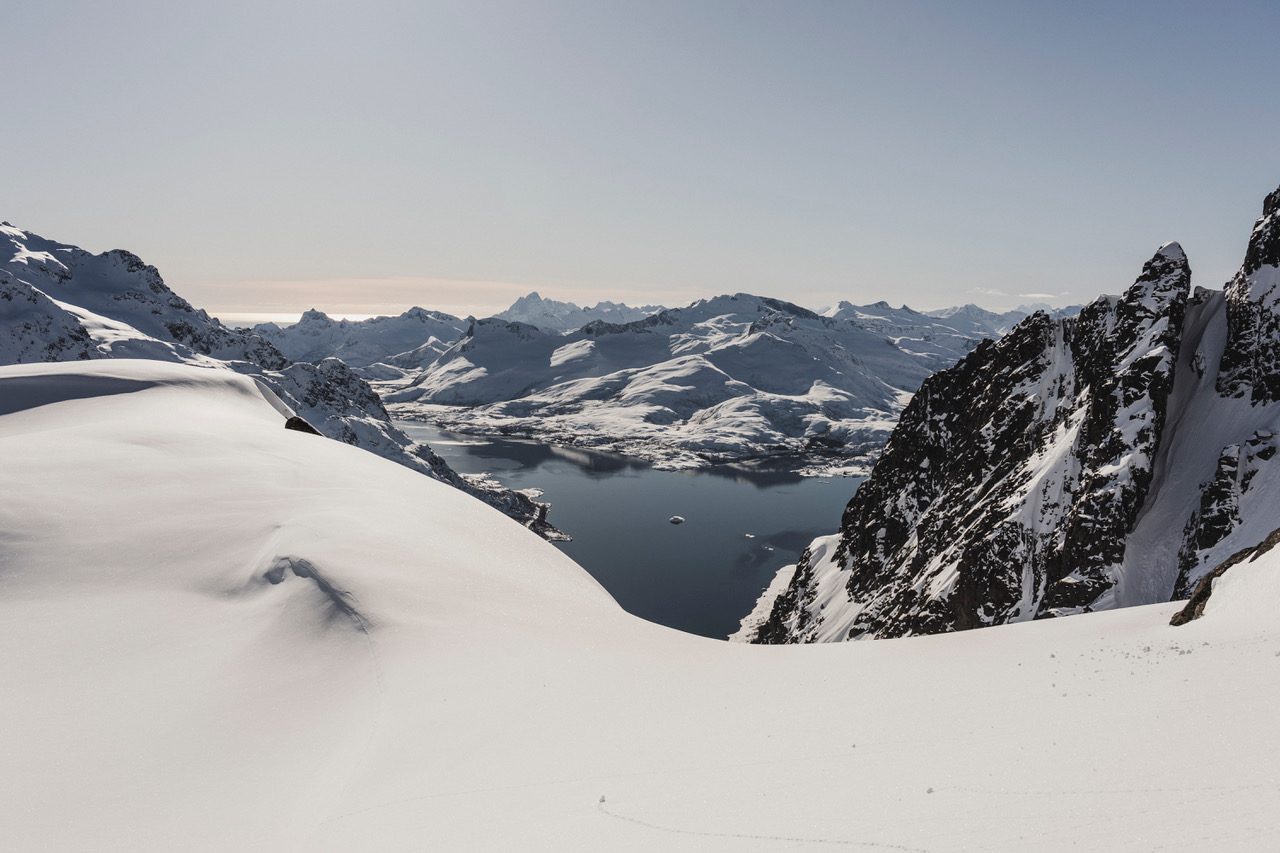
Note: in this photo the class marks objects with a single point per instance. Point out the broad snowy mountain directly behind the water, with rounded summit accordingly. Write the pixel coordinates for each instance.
(730, 378)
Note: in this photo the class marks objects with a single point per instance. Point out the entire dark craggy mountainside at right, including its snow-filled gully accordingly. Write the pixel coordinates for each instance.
(1077, 464)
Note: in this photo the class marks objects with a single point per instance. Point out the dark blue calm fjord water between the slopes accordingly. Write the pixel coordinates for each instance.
(700, 577)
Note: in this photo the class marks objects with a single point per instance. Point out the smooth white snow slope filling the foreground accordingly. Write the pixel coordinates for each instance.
(221, 635)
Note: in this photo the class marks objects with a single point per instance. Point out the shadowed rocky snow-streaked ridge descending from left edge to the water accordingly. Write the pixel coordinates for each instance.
(60, 303)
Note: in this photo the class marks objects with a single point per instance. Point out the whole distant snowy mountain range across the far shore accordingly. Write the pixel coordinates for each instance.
(733, 378)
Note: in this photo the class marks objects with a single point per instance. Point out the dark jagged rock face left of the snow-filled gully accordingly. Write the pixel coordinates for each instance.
(1012, 480)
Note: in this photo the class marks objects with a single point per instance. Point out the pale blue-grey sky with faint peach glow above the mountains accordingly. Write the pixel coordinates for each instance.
(364, 158)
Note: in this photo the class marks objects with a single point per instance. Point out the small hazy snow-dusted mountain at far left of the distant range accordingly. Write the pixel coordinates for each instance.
(364, 343)
